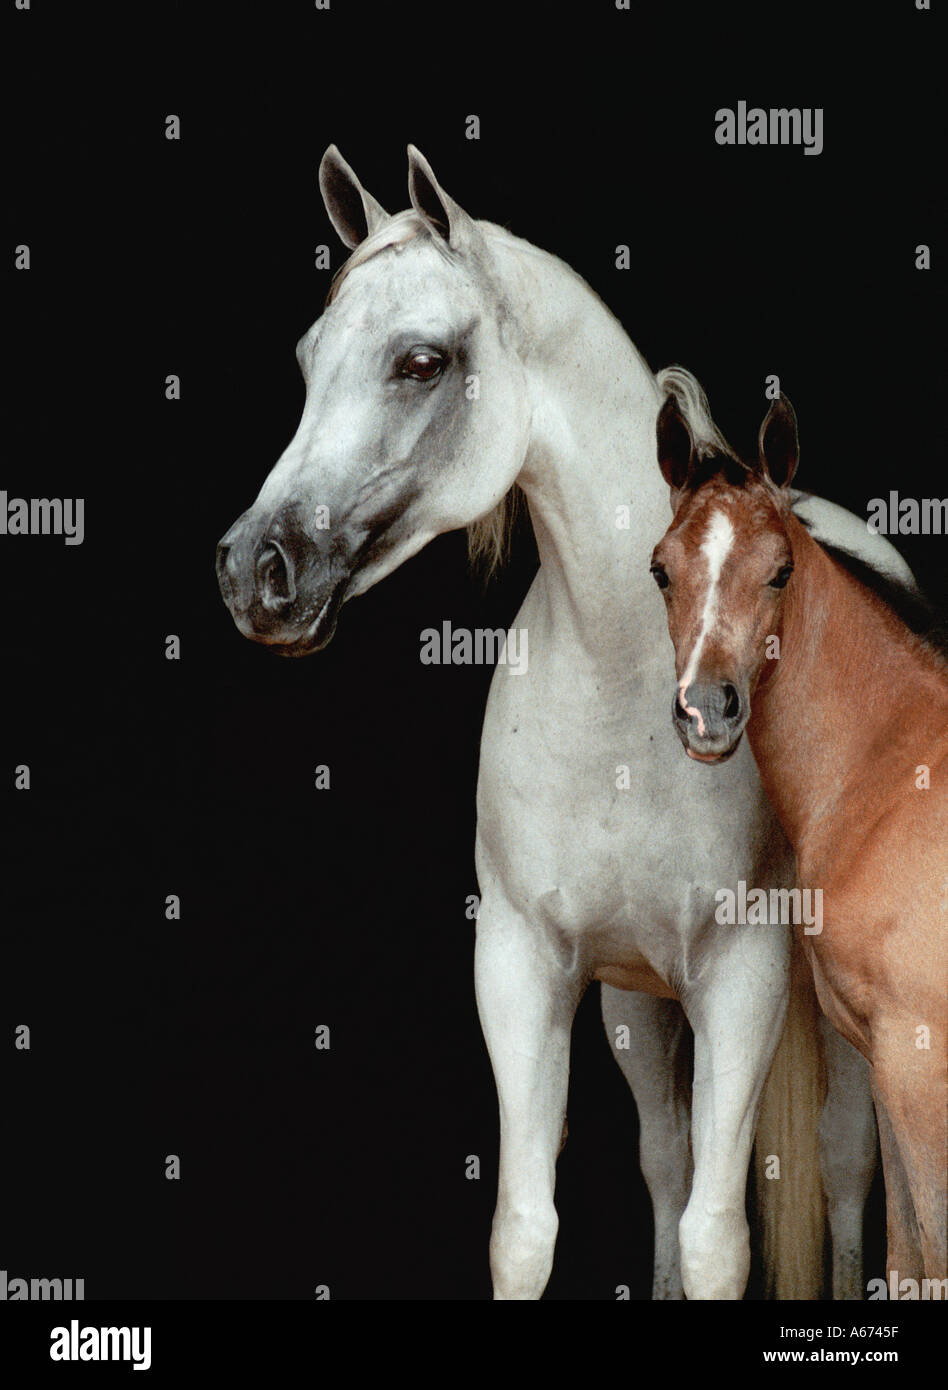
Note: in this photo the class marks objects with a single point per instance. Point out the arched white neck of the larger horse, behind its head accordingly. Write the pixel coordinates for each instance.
(591, 451)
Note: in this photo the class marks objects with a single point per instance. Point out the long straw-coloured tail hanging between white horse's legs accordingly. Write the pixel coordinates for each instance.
(792, 1207)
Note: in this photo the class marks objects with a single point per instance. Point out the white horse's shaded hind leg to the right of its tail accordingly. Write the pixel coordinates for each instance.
(847, 1156)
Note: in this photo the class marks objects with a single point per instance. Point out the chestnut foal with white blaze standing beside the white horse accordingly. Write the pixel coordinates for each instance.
(847, 715)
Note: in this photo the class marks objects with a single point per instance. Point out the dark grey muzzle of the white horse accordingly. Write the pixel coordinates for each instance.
(283, 587)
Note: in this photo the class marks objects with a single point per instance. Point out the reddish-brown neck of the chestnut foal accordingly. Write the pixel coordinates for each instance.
(851, 707)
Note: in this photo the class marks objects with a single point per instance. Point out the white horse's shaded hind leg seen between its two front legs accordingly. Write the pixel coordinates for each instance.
(657, 1067)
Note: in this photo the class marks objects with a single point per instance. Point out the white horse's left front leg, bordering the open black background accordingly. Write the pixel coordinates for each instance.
(526, 1000)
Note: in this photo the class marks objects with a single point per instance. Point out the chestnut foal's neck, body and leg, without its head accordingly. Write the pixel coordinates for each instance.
(844, 783)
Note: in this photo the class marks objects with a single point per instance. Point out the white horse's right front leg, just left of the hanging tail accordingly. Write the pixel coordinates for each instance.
(737, 1013)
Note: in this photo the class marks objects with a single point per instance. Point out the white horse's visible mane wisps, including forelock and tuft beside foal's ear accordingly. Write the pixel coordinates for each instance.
(489, 539)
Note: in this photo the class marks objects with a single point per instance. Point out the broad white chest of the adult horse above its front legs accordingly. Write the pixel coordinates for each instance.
(598, 826)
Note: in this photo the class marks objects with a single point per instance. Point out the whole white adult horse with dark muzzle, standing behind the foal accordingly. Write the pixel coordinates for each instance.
(455, 361)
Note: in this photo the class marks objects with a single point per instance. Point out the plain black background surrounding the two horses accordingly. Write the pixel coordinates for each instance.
(149, 778)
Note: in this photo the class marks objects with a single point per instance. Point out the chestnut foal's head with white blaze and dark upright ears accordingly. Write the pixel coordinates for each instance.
(724, 568)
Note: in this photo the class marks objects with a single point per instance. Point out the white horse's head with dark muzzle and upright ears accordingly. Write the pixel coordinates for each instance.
(416, 418)
